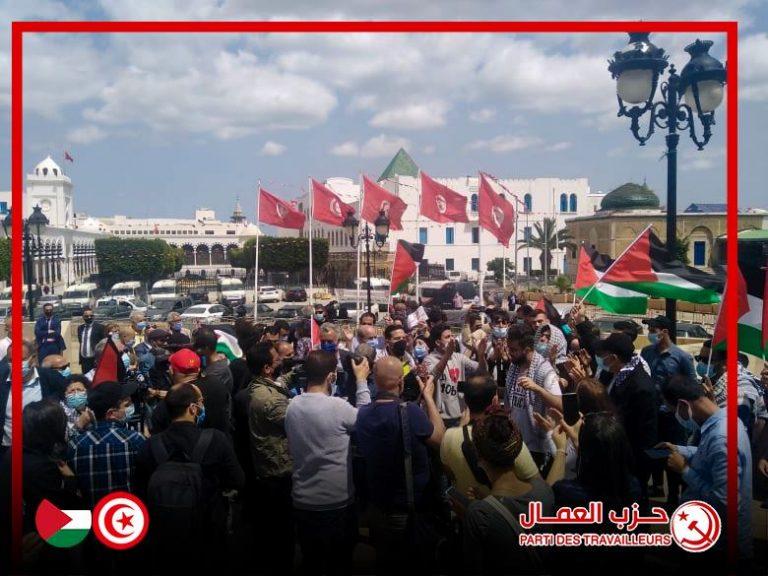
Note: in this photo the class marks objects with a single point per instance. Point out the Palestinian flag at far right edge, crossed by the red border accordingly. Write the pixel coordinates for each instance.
(752, 314)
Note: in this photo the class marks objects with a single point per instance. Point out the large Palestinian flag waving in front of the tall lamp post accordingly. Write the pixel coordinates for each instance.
(644, 267)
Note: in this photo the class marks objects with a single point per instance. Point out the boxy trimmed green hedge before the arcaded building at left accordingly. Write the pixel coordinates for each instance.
(136, 259)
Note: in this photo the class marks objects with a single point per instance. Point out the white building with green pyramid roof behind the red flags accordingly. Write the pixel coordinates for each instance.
(458, 246)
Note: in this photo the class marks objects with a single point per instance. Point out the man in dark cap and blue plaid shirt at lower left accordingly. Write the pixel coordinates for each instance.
(103, 456)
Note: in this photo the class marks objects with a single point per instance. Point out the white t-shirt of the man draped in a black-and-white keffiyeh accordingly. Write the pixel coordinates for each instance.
(523, 404)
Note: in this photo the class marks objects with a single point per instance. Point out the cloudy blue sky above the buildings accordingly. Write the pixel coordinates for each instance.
(161, 124)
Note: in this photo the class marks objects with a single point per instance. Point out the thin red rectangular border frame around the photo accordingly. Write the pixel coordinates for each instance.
(729, 28)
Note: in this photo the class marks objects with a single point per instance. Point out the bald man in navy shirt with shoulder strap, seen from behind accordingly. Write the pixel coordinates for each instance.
(381, 445)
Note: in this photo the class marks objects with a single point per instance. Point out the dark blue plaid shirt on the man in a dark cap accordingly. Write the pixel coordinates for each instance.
(103, 459)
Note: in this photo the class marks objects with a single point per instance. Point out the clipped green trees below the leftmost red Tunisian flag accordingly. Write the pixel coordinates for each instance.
(281, 254)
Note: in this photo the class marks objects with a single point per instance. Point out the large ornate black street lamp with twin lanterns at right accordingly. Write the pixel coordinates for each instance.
(692, 95)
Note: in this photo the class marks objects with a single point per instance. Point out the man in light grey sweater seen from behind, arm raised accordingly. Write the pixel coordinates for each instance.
(318, 427)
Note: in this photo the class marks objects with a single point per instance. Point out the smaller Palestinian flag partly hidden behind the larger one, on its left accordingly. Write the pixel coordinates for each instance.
(610, 298)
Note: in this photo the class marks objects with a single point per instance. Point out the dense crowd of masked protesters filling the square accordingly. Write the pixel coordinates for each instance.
(256, 450)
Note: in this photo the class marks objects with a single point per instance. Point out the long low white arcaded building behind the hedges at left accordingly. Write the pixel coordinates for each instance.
(205, 240)
